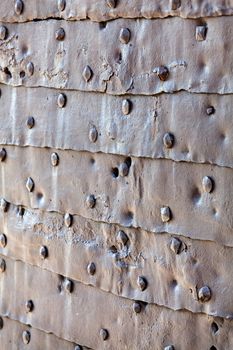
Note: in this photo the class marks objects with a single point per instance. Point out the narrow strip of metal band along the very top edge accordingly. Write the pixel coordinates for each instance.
(102, 10)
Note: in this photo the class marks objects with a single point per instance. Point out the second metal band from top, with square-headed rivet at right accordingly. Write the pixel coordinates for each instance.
(109, 58)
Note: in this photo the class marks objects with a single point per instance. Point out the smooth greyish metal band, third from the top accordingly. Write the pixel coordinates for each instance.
(200, 124)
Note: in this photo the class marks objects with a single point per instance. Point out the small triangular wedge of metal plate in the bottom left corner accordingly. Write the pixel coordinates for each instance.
(11, 338)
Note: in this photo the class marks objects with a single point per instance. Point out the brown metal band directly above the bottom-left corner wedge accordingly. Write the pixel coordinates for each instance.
(88, 311)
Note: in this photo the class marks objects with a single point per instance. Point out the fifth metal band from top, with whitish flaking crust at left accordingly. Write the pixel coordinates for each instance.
(112, 259)
